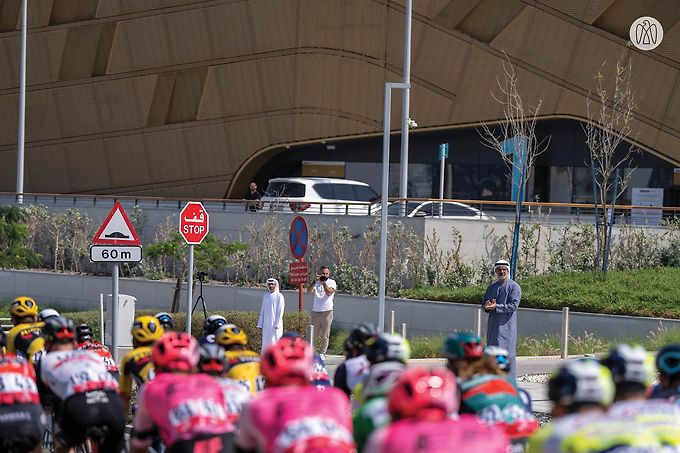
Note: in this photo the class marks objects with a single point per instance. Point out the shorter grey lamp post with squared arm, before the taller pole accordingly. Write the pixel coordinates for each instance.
(382, 272)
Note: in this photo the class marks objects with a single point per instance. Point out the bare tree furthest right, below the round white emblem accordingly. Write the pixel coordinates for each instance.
(608, 127)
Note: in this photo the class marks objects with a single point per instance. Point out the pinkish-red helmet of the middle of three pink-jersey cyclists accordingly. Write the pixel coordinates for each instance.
(287, 362)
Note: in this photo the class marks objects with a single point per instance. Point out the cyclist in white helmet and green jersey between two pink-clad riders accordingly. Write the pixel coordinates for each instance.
(373, 413)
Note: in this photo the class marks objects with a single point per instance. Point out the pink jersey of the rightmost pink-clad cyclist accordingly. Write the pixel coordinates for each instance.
(441, 436)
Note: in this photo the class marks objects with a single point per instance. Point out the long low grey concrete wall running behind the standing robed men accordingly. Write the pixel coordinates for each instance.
(422, 317)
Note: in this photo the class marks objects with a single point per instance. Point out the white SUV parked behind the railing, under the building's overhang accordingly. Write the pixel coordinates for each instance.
(320, 196)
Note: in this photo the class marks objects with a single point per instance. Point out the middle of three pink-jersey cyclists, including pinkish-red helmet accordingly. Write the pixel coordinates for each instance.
(290, 415)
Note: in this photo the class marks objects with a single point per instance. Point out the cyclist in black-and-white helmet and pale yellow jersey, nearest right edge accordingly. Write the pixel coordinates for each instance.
(633, 372)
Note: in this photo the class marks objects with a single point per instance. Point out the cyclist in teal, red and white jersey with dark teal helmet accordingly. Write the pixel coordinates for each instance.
(485, 391)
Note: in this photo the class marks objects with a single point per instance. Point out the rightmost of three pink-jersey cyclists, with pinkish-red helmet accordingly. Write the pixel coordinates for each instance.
(421, 405)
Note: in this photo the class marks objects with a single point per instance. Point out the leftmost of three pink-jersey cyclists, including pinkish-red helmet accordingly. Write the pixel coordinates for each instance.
(186, 409)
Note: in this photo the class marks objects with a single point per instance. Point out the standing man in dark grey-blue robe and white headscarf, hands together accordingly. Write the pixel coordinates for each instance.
(501, 302)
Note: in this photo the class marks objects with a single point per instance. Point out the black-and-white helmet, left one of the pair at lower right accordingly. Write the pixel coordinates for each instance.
(581, 381)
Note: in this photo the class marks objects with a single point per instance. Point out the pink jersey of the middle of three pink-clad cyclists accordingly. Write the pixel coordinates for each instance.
(287, 419)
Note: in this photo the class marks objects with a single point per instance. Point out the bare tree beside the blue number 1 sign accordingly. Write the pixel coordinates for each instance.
(519, 124)
